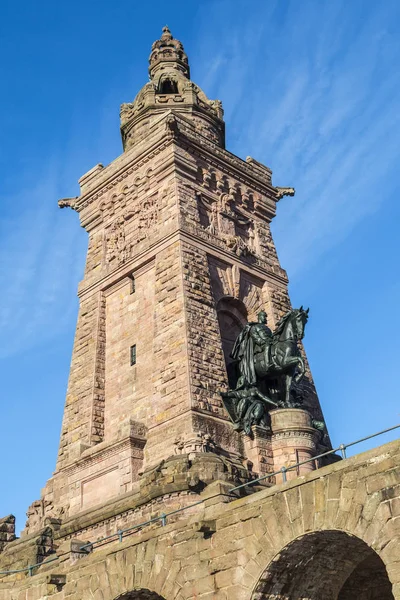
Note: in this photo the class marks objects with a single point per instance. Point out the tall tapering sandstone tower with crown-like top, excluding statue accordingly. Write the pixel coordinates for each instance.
(180, 256)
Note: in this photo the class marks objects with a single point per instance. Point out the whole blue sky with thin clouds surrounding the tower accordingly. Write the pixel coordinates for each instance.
(309, 88)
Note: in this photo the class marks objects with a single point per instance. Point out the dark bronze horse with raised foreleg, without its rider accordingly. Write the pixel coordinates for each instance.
(287, 364)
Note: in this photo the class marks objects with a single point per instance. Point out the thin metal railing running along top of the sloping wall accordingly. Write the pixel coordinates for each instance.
(163, 517)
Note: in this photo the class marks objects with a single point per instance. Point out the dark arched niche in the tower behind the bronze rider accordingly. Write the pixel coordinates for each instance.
(232, 317)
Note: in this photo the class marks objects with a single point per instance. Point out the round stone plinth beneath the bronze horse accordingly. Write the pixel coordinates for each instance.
(294, 440)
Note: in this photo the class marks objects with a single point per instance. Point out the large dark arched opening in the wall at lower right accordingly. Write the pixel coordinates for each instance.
(332, 565)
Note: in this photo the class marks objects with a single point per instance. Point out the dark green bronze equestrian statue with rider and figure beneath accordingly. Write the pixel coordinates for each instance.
(267, 364)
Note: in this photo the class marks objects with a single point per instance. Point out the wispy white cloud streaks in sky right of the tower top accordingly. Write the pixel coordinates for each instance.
(313, 93)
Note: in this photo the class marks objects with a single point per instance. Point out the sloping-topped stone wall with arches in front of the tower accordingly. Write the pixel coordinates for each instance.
(313, 531)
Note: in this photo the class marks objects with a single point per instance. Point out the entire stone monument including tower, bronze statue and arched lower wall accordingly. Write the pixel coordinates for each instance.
(188, 382)
